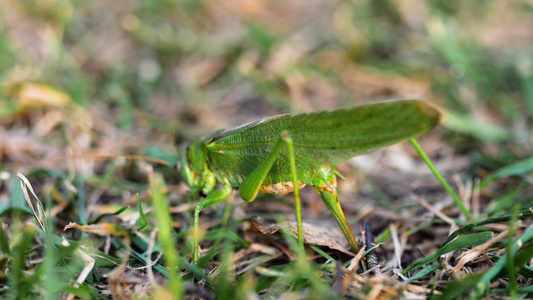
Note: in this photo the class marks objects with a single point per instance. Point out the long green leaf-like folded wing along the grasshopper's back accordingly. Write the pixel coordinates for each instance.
(320, 138)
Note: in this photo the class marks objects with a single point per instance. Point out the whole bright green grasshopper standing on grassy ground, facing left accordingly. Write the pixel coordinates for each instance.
(276, 154)
